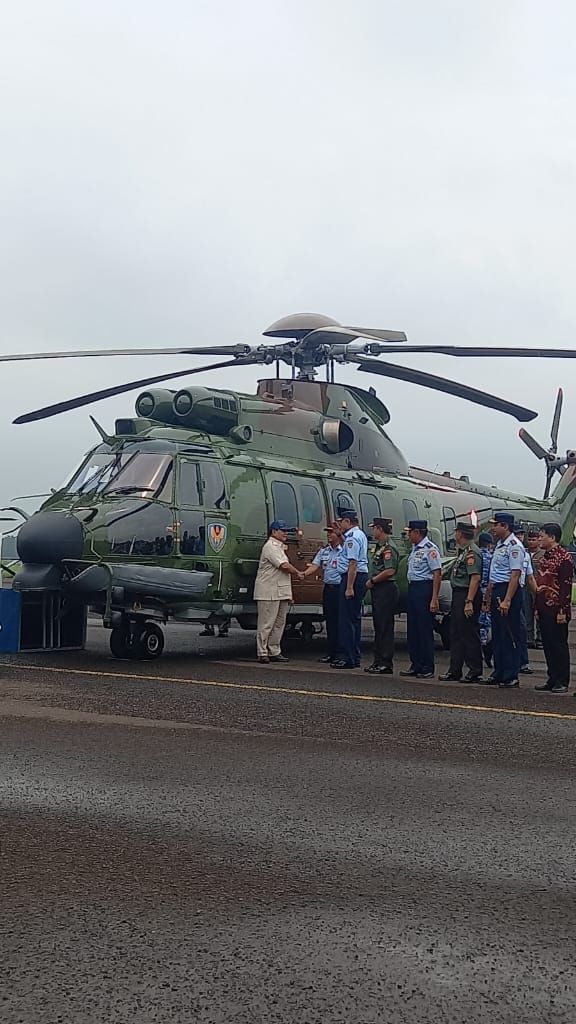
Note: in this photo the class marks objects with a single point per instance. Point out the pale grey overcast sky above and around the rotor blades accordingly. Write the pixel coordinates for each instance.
(187, 173)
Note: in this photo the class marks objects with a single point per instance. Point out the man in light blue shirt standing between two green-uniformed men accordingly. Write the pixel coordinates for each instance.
(425, 579)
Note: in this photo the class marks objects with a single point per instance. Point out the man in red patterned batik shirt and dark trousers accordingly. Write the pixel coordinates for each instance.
(554, 596)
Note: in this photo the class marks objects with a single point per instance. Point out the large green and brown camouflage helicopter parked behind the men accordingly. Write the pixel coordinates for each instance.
(166, 518)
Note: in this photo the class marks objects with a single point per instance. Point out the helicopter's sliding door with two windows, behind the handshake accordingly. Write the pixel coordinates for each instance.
(300, 502)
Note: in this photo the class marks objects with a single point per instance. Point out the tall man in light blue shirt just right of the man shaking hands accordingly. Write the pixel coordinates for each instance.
(354, 565)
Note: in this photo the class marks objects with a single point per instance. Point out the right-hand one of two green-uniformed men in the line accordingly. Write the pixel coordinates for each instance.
(467, 606)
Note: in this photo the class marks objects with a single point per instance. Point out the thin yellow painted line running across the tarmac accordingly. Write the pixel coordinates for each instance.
(294, 692)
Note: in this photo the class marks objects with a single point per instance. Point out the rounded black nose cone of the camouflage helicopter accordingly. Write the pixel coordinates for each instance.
(49, 538)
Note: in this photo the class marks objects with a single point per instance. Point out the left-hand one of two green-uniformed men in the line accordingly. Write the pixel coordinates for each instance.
(385, 593)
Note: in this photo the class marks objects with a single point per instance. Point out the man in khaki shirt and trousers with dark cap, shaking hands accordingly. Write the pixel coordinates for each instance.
(273, 591)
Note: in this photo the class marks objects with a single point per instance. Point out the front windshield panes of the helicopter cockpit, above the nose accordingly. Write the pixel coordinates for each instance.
(145, 475)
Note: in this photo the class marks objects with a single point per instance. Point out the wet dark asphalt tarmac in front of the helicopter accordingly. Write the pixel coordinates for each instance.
(208, 840)
